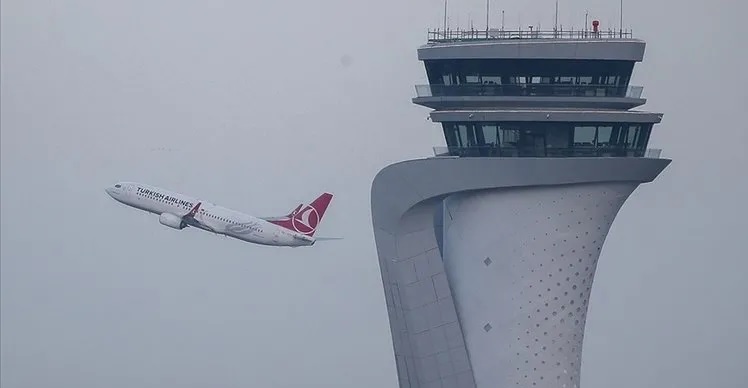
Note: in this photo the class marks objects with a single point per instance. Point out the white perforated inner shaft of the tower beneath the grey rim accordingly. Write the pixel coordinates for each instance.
(520, 264)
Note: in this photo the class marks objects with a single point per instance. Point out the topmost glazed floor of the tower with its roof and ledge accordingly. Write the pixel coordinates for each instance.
(493, 68)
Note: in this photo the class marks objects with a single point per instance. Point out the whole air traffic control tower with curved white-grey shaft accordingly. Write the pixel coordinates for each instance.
(488, 249)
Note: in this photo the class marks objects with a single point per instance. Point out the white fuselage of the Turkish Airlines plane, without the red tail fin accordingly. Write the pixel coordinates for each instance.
(173, 209)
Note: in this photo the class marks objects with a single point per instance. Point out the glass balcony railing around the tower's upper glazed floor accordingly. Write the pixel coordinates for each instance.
(525, 90)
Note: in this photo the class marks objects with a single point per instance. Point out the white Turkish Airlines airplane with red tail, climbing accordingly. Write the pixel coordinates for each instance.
(180, 211)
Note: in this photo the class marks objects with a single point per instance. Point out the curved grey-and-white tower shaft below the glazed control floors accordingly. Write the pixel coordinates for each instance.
(436, 221)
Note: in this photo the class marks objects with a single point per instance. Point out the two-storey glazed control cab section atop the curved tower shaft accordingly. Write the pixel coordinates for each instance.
(536, 94)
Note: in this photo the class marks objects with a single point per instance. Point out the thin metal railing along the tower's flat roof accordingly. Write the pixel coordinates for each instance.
(442, 36)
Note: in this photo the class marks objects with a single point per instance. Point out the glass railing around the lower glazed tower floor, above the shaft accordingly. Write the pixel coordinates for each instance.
(532, 152)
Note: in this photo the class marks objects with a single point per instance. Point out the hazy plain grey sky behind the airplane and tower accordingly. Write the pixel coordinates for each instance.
(261, 105)
